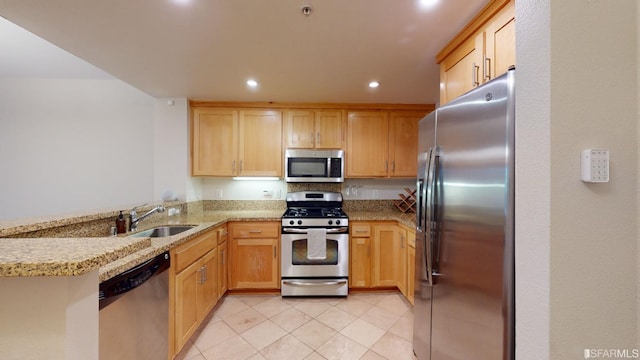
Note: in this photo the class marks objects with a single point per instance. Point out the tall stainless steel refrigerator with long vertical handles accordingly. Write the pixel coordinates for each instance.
(464, 281)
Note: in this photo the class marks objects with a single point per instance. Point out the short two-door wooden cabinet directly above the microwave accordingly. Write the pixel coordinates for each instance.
(314, 129)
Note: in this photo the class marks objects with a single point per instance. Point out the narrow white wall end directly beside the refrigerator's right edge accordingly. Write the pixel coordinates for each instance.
(533, 179)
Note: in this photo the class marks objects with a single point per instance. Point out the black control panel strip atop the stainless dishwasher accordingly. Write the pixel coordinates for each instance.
(120, 284)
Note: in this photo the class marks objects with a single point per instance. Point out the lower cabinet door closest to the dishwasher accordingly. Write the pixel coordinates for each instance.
(186, 313)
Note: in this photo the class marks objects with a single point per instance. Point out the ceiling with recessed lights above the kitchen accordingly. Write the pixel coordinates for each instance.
(207, 49)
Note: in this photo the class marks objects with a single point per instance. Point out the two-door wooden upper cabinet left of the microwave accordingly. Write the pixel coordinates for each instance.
(230, 142)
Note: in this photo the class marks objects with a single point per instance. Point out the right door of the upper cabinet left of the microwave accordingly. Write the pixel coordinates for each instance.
(260, 145)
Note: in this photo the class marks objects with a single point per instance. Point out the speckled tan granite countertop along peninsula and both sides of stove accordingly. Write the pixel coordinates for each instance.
(113, 255)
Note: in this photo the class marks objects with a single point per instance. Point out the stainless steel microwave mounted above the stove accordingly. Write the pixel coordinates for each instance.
(313, 165)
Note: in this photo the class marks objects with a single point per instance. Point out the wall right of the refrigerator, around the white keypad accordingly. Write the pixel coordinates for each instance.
(576, 243)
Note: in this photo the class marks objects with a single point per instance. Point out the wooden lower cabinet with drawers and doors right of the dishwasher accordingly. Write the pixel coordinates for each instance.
(193, 287)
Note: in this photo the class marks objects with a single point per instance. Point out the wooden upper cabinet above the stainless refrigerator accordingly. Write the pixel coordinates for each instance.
(484, 49)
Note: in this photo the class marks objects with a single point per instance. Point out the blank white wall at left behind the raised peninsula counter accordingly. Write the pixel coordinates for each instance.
(69, 145)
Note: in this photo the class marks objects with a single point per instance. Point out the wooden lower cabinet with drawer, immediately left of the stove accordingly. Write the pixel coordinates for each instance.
(254, 255)
